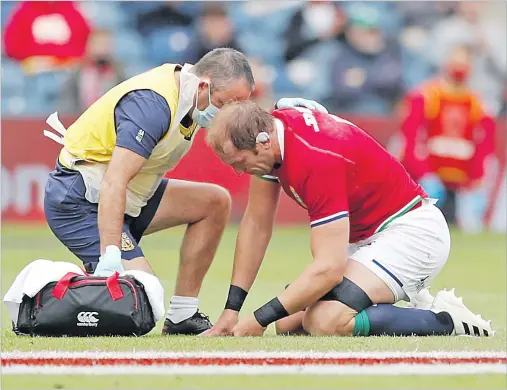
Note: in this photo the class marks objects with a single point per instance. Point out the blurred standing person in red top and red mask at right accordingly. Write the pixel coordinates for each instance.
(447, 139)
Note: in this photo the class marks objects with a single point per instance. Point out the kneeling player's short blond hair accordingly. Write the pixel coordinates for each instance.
(241, 122)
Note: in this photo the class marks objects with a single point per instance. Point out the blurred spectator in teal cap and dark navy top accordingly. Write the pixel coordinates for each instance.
(367, 74)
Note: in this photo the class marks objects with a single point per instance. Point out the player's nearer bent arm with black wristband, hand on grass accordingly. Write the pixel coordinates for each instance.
(329, 244)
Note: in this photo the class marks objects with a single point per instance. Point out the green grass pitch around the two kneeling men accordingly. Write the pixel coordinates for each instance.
(476, 268)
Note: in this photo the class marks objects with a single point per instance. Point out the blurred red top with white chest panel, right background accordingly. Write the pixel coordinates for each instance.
(446, 132)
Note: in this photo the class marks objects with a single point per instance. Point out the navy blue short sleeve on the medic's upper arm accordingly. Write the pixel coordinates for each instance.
(142, 118)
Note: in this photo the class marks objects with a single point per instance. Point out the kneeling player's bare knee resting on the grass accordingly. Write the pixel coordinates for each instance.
(329, 318)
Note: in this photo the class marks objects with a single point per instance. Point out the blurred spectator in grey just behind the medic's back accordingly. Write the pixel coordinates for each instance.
(94, 76)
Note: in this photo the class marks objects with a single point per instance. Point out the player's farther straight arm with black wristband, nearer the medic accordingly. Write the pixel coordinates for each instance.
(253, 238)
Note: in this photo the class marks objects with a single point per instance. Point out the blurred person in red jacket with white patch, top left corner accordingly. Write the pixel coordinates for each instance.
(46, 35)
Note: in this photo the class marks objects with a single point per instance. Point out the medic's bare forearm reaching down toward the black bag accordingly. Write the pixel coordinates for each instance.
(124, 165)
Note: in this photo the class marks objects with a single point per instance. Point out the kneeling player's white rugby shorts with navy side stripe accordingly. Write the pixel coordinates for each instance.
(409, 252)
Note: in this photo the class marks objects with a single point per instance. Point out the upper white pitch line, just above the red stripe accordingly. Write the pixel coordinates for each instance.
(251, 355)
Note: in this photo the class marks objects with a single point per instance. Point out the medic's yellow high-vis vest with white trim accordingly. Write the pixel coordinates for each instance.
(90, 140)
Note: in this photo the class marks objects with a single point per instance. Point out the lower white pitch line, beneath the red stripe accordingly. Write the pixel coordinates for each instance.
(398, 369)
